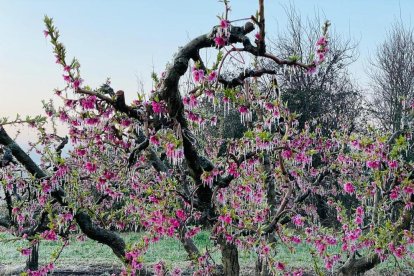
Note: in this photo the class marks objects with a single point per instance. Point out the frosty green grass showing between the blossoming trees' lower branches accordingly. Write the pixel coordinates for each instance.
(169, 250)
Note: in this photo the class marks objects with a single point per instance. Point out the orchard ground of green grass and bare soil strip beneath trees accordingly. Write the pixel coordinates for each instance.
(91, 258)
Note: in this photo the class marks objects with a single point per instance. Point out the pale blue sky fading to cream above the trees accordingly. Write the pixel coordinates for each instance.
(127, 40)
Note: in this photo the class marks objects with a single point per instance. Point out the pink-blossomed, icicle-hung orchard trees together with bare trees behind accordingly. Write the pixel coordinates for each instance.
(285, 161)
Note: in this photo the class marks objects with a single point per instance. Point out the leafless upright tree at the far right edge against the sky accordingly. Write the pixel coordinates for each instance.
(392, 76)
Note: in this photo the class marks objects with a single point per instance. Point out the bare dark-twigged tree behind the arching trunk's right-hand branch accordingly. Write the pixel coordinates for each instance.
(329, 93)
